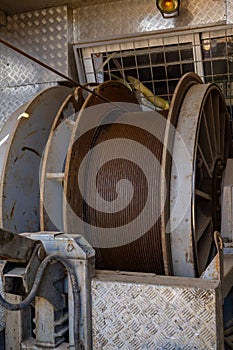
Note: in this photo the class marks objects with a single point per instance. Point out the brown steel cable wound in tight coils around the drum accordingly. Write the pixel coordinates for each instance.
(132, 256)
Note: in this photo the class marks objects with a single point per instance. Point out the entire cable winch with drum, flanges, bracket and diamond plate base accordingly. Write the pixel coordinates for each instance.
(147, 194)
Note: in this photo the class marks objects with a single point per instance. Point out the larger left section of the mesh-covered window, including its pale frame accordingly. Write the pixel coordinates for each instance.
(158, 63)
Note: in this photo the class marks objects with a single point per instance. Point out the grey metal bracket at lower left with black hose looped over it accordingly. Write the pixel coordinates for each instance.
(54, 303)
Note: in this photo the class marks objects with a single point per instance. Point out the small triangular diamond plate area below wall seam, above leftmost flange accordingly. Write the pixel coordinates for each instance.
(13, 97)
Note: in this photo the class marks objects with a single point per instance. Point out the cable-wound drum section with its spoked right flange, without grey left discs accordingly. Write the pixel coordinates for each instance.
(145, 245)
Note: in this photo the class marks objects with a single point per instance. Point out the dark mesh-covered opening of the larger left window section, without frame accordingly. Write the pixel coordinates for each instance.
(158, 68)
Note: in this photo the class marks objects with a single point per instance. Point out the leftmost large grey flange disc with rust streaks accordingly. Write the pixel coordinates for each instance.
(23, 140)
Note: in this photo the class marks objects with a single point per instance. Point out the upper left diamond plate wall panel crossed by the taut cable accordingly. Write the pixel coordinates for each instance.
(43, 34)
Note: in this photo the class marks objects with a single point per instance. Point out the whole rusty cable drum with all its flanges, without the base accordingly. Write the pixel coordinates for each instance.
(144, 190)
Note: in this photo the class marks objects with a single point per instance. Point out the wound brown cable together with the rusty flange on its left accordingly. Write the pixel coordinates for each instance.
(108, 179)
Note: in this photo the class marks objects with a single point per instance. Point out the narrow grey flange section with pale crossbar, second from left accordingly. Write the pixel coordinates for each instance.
(52, 175)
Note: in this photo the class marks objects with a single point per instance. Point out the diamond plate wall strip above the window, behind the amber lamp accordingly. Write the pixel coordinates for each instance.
(136, 16)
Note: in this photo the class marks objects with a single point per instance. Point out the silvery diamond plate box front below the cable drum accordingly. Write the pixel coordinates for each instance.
(137, 316)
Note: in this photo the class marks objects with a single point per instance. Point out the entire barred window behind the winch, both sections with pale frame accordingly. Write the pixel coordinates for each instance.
(159, 60)
